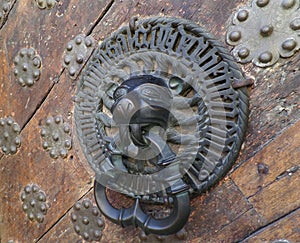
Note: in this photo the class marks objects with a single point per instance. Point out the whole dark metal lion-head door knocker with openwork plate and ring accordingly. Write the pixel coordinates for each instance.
(161, 113)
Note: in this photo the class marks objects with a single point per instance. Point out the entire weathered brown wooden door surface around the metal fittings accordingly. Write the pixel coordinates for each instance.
(249, 205)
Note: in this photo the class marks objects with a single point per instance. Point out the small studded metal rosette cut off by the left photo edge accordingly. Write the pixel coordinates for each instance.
(10, 140)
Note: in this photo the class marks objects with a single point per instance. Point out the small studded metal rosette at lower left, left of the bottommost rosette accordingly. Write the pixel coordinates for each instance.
(34, 203)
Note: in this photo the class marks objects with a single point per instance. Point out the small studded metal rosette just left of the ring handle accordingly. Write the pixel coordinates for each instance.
(87, 221)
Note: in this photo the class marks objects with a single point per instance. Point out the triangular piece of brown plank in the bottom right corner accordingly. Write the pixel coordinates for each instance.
(287, 229)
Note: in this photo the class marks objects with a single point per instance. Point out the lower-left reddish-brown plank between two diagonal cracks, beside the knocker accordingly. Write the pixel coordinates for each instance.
(63, 180)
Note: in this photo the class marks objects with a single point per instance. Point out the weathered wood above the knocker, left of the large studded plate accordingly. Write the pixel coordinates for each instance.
(211, 15)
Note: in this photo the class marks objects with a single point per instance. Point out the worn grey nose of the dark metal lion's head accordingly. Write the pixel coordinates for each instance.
(123, 111)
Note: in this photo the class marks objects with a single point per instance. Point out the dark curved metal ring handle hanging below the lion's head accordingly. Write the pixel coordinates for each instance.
(137, 217)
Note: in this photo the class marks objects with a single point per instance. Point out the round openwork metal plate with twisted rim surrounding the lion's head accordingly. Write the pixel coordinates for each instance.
(208, 116)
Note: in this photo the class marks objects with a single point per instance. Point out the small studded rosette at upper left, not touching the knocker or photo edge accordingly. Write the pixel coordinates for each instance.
(28, 67)
